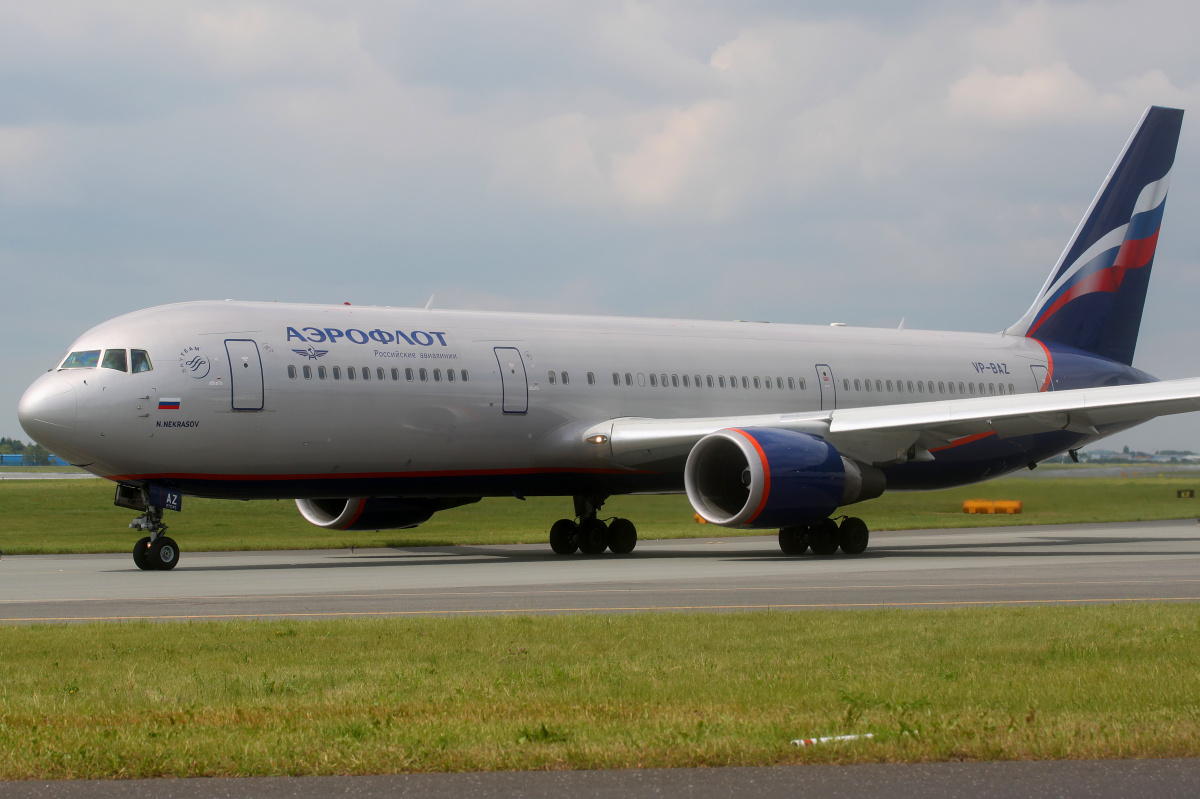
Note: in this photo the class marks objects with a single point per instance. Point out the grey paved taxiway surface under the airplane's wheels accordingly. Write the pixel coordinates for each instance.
(1015, 566)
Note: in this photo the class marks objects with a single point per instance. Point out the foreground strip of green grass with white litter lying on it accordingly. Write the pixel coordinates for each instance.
(598, 692)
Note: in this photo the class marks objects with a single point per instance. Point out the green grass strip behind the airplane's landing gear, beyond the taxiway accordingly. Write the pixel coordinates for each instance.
(63, 516)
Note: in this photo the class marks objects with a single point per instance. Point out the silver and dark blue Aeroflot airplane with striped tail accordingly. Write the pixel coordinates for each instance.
(377, 418)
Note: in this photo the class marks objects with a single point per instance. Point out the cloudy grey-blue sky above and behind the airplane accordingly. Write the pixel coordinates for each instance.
(793, 163)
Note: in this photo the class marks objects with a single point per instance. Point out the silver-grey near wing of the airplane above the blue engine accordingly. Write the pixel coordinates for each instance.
(884, 435)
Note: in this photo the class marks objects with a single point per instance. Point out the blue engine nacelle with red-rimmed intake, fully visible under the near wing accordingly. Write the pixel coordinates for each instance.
(767, 478)
